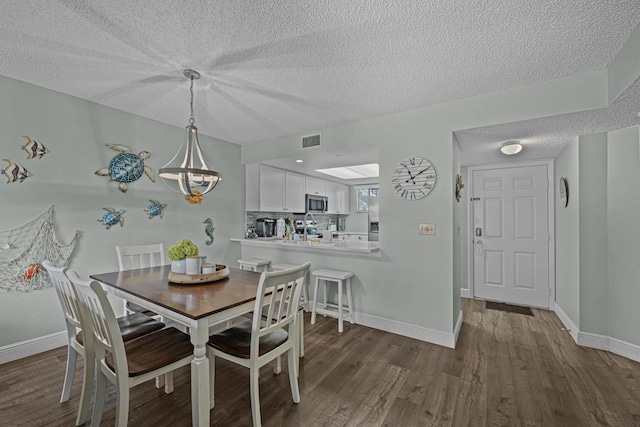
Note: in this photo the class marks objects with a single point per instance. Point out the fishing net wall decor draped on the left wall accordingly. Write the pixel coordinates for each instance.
(23, 249)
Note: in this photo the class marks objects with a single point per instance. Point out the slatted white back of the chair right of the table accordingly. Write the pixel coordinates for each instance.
(282, 289)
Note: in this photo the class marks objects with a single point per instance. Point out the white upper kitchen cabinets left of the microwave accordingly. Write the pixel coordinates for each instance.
(271, 189)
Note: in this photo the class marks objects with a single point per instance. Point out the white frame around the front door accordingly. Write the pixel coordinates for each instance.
(549, 163)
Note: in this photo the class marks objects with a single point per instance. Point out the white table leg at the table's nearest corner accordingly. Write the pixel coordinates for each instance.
(200, 401)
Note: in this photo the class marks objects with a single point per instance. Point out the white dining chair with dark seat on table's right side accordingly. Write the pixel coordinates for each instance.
(255, 344)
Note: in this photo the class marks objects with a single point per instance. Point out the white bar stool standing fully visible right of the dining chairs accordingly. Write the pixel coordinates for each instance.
(340, 278)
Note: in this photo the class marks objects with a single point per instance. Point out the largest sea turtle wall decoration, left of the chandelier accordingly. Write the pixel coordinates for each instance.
(126, 167)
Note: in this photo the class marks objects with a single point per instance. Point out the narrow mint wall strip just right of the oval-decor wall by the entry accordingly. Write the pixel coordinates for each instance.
(594, 281)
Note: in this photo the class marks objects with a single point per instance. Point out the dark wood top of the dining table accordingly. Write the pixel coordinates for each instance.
(193, 301)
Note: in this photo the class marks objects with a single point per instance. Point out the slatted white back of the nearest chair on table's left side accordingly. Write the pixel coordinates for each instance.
(102, 323)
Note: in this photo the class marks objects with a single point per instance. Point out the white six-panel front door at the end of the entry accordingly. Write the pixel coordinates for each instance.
(511, 235)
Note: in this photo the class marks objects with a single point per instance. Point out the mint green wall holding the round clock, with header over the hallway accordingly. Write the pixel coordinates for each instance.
(413, 283)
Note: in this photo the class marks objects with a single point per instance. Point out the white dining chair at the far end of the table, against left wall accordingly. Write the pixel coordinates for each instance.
(140, 256)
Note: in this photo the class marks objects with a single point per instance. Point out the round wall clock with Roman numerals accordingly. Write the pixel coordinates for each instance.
(414, 178)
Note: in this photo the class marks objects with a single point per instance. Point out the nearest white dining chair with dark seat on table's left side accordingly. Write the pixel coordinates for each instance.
(125, 363)
